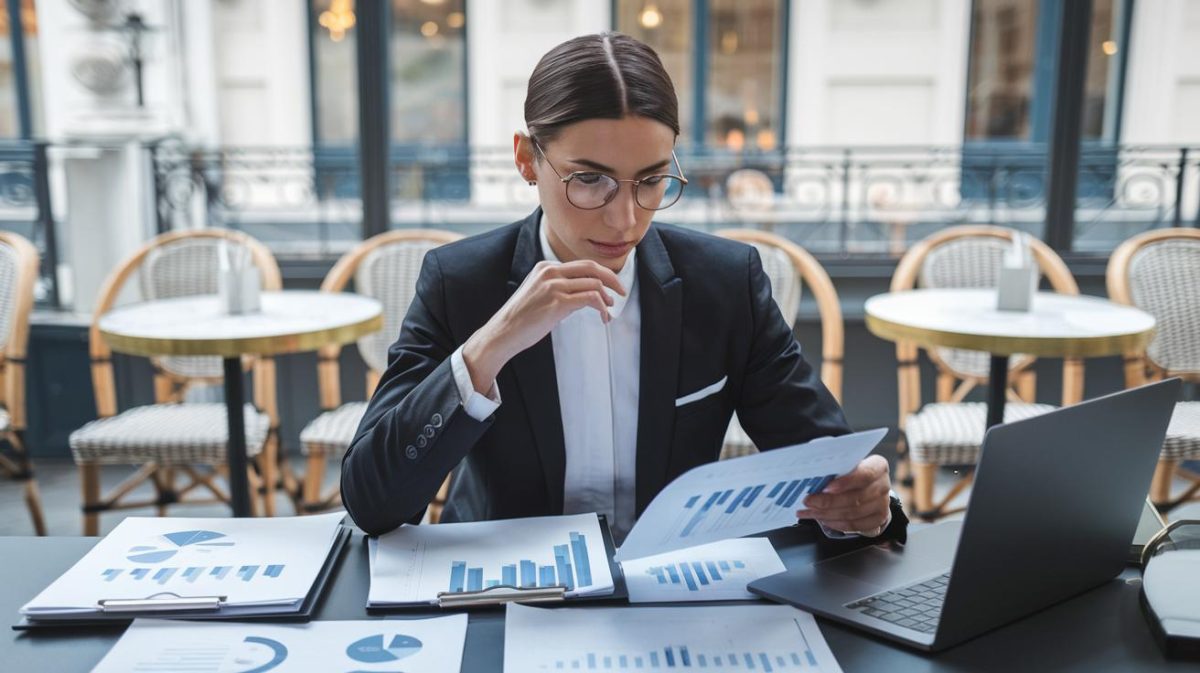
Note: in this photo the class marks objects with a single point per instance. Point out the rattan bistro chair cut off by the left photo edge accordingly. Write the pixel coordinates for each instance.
(19, 274)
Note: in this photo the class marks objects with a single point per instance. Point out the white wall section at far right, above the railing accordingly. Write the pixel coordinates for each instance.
(1162, 103)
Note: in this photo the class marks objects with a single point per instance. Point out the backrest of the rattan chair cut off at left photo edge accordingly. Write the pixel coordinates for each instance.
(19, 275)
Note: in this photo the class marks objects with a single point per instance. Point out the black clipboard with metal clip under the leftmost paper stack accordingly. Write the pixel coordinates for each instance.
(169, 606)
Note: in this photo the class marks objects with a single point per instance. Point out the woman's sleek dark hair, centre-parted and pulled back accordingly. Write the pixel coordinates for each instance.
(602, 76)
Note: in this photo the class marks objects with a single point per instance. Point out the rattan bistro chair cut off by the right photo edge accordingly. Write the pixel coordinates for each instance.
(1160, 273)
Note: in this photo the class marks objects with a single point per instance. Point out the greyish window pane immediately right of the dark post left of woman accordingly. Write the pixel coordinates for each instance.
(429, 51)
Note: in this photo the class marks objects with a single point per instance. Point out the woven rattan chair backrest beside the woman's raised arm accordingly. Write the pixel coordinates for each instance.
(386, 268)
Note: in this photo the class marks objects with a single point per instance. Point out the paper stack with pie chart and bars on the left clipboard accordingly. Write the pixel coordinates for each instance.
(256, 566)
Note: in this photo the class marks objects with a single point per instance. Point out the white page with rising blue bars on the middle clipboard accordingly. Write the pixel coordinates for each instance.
(413, 564)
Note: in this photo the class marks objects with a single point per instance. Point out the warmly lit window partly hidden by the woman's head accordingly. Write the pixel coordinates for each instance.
(727, 59)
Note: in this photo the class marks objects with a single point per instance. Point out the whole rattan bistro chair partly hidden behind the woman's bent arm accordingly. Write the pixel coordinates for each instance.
(386, 268)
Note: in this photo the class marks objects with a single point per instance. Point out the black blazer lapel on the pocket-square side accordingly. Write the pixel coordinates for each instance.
(662, 303)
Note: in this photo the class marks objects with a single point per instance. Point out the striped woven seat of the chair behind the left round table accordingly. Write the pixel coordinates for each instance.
(194, 434)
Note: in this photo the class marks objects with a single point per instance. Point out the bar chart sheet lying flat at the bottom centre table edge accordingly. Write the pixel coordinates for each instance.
(764, 639)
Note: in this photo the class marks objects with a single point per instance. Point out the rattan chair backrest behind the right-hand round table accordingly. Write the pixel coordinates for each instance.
(971, 257)
